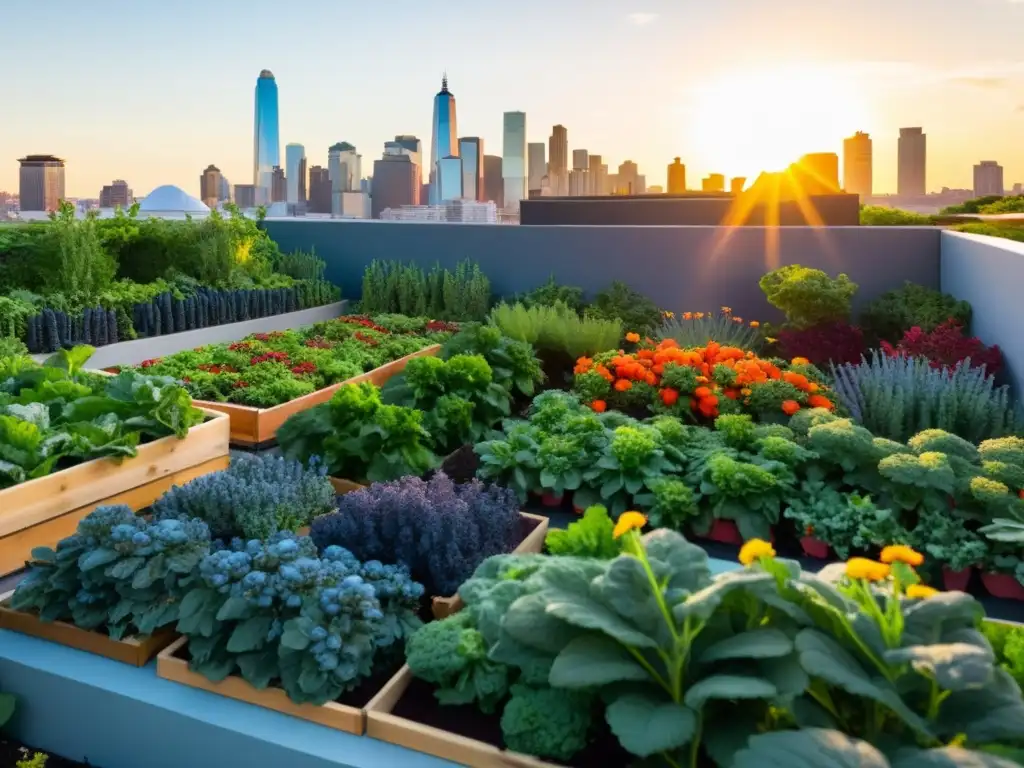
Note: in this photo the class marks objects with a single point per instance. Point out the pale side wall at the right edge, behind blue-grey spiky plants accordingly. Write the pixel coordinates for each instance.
(990, 274)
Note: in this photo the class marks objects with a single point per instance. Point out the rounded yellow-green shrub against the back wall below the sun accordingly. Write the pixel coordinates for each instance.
(809, 297)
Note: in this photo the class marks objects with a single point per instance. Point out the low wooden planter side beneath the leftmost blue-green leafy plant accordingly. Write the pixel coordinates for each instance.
(137, 652)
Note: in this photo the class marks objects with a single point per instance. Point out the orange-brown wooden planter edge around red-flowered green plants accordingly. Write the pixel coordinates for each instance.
(252, 428)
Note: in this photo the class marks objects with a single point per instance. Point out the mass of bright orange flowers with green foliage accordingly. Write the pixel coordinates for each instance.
(699, 383)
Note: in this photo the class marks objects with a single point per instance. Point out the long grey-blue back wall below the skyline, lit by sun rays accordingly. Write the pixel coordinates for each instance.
(681, 269)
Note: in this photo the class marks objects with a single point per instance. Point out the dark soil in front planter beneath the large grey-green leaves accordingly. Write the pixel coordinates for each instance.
(418, 704)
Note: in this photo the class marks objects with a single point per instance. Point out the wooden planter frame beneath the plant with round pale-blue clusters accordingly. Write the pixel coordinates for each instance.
(339, 717)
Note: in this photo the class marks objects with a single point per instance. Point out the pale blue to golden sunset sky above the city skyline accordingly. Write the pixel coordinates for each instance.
(154, 92)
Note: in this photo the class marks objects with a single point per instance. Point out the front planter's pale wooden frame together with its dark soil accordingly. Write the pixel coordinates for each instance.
(406, 713)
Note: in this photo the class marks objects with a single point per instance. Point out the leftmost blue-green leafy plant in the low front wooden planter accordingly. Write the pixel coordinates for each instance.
(119, 573)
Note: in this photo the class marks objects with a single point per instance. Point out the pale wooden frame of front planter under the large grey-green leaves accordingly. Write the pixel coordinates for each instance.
(383, 726)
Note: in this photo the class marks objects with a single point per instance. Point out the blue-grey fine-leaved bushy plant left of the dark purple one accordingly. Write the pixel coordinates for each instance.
(254, 498)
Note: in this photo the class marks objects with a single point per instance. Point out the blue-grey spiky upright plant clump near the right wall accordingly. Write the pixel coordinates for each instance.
(897, 398)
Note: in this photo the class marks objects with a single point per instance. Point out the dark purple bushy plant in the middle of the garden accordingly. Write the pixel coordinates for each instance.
(442, 532)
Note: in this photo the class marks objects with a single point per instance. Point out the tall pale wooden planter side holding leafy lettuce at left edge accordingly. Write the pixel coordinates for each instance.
(41, 513)
